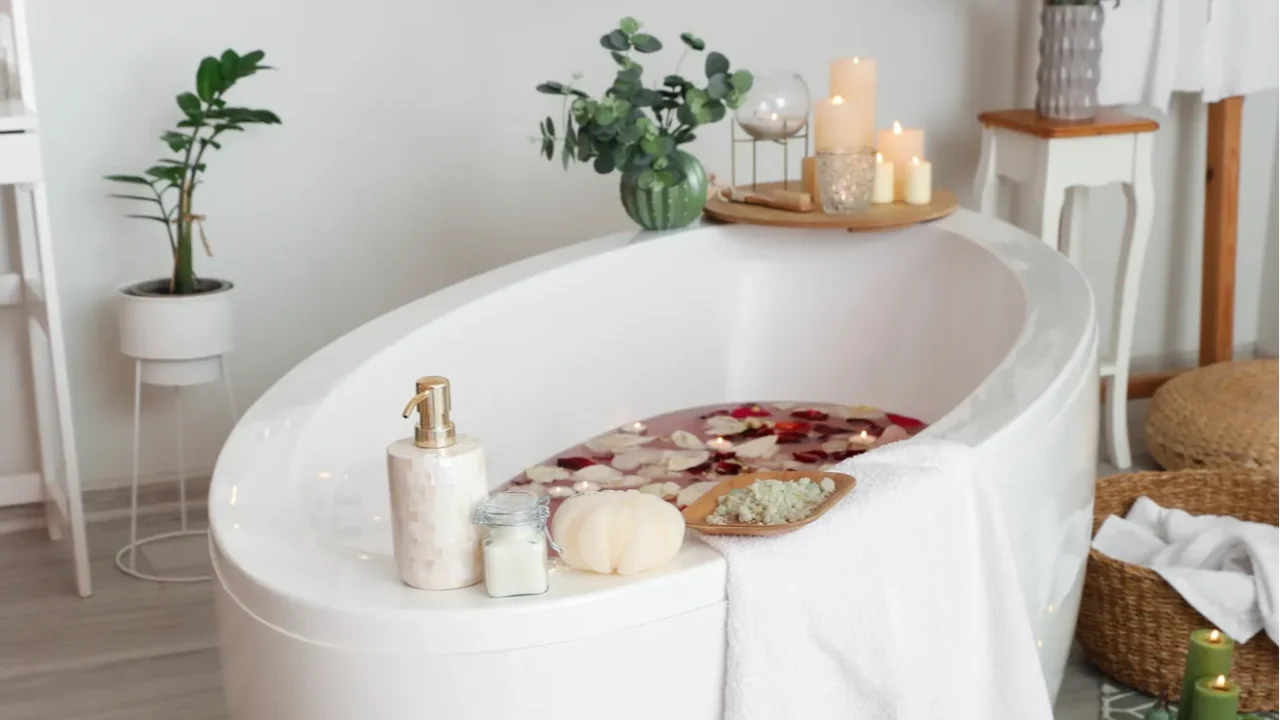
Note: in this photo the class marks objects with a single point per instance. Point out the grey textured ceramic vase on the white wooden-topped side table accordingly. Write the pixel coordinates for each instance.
(1071, 58)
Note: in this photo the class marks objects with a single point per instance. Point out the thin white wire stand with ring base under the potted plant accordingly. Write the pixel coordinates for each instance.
(127, 557)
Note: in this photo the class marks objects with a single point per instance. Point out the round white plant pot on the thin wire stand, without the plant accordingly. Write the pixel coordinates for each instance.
(181, 338)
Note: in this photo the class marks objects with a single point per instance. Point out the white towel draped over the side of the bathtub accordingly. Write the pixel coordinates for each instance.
(899, 604)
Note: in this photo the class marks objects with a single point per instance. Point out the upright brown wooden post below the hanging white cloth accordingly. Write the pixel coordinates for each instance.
(1222, 204)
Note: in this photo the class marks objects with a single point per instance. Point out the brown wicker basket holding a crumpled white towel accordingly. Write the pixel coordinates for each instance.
(1133, 626)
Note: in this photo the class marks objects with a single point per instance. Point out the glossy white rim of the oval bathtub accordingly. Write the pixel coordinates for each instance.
(698, 582)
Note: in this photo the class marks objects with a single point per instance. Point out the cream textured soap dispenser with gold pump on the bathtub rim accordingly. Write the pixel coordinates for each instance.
(437, 481)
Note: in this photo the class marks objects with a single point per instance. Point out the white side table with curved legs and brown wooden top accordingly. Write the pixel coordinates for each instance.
(1059, 162)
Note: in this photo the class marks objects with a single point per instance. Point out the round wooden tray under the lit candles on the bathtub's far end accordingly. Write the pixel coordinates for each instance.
(875, 218)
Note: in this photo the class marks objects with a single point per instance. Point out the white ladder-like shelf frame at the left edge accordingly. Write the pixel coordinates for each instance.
(34, 288)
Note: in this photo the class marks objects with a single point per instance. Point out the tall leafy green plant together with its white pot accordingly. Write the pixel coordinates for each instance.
(182, 325)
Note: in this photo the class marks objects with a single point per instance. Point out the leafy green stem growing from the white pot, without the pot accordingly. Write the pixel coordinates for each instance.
(172, 183)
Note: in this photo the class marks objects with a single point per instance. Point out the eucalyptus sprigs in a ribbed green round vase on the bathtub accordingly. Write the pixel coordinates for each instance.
(638, 130)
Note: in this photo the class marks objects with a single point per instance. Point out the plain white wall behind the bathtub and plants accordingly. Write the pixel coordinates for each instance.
(404, 166)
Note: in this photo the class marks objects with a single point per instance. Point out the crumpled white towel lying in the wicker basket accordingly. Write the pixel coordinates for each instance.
(1227, 569)
